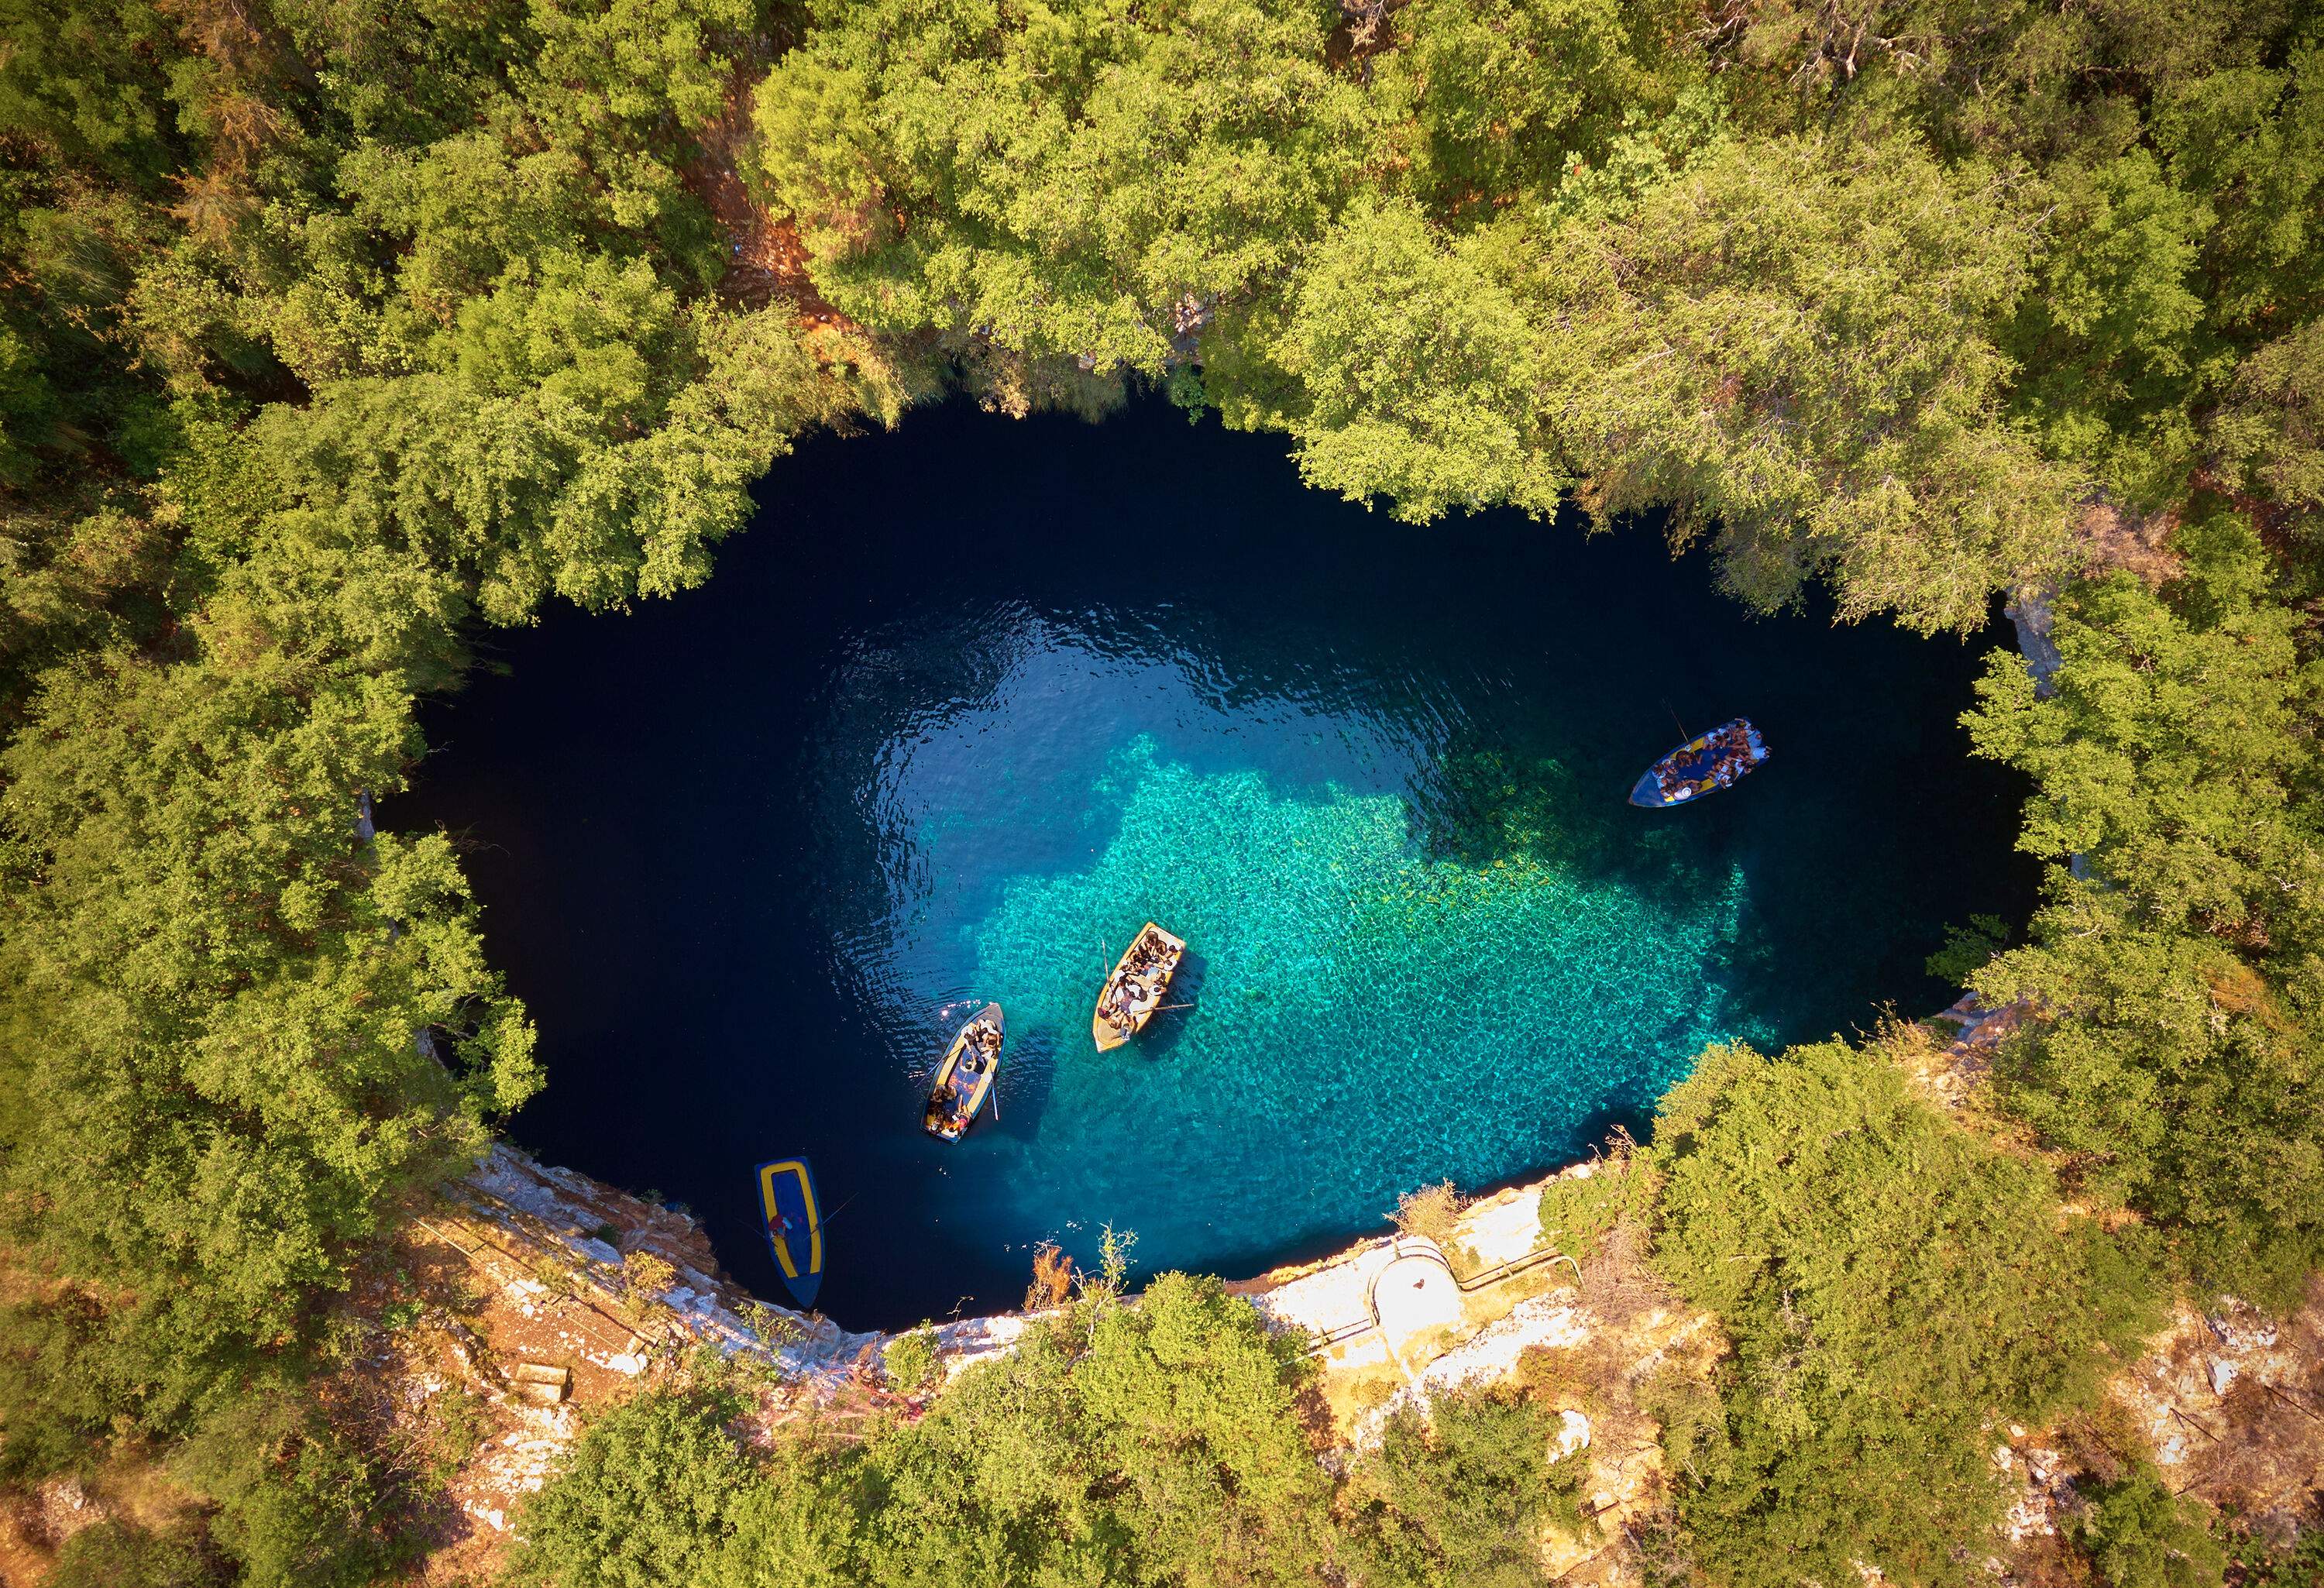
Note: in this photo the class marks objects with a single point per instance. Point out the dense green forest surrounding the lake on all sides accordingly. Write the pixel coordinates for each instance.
(338, 331)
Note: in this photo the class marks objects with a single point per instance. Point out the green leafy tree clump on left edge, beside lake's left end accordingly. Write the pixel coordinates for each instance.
(220, 982)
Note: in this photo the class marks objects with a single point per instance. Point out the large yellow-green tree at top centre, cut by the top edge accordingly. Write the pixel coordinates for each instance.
(1068, 183)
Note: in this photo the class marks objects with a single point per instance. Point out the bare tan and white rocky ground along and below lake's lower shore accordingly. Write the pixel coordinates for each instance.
(622, 1294)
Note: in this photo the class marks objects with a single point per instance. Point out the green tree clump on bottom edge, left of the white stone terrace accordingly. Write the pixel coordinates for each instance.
(1149, 1445)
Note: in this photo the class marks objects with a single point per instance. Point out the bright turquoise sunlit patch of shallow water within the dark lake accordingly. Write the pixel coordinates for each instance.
(1377, 1015)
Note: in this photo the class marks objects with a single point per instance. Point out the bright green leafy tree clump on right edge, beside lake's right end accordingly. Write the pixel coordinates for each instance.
(2176, 975)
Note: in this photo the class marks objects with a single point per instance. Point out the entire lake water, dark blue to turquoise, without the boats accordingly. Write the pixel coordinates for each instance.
(977, 699)
